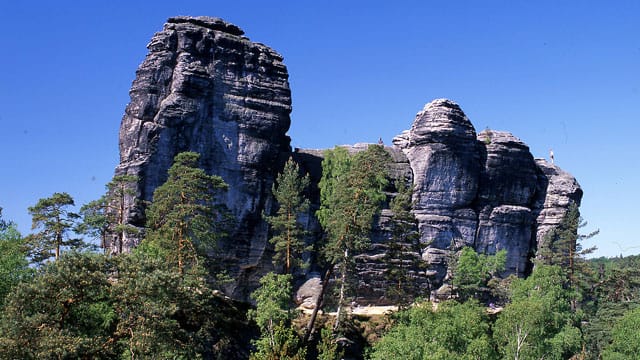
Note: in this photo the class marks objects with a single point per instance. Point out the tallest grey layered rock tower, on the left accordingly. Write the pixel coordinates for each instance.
(204, 87)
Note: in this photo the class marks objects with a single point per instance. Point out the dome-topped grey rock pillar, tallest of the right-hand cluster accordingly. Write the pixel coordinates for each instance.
(445, 158)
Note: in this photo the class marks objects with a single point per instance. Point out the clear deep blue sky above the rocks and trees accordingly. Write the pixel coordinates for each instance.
(557, 74)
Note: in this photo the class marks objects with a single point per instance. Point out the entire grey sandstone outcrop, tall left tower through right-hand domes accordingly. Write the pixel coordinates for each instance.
(205, 87)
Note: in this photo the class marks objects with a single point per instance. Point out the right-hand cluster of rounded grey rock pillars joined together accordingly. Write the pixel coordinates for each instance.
(485, 191)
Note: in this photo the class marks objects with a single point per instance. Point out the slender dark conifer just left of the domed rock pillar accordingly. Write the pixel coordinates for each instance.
(403, 257)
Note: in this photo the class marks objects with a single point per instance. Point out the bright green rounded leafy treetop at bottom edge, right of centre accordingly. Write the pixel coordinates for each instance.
(453, 331)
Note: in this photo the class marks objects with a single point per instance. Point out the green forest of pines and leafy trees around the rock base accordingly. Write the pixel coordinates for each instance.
(64, 296)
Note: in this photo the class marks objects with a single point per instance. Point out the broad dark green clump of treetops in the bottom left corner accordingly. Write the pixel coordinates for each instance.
(130, 306)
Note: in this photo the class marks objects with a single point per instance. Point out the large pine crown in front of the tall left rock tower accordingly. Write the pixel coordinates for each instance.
(184, 220)
